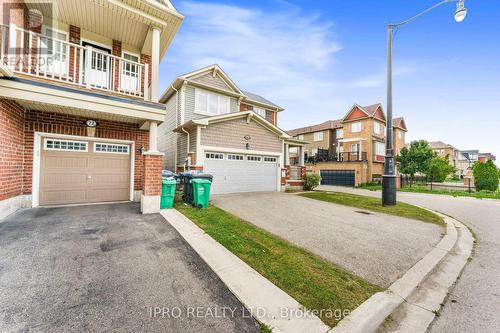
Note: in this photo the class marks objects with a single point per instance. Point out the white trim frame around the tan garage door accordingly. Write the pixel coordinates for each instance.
(36, 160)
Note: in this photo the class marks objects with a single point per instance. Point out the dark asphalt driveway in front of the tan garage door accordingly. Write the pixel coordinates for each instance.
(108, 268)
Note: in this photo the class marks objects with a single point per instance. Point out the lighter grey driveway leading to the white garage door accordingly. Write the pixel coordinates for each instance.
(377, 247)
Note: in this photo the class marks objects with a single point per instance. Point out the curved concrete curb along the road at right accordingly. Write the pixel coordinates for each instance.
(372, 313)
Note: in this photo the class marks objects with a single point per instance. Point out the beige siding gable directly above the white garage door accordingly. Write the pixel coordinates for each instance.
(231, 134)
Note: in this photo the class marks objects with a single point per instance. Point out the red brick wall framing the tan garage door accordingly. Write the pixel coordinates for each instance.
(37, 121)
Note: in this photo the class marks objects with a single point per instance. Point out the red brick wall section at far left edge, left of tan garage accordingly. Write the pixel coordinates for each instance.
(11, 149)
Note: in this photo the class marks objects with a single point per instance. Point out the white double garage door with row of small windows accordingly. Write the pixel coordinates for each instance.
(235, 173)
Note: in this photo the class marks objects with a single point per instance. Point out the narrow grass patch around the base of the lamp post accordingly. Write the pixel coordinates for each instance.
(374, 204)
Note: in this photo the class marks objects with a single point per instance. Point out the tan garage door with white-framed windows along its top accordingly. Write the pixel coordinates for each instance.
(73, 171)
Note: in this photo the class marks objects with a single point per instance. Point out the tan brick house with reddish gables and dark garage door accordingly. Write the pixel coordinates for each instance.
(349, 151)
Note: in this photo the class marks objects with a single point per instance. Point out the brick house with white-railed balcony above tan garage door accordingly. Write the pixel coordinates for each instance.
(79, 101)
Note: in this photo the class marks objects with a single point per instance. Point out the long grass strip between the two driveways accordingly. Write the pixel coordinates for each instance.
(314, 282)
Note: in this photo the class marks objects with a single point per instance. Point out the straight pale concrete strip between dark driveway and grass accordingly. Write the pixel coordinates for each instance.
(265, 301)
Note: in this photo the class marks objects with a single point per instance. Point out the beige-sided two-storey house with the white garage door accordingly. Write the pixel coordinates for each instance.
(213, 126)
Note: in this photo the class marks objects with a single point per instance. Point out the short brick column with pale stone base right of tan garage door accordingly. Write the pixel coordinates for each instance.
(151, 183)
